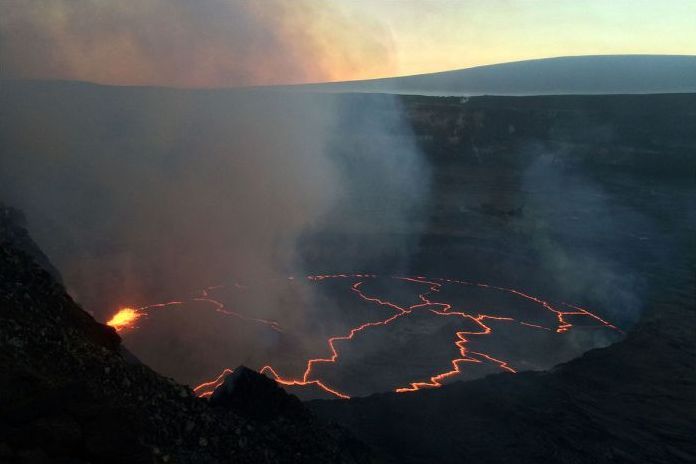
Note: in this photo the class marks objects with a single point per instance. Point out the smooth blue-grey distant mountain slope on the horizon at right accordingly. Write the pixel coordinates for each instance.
(603, 74)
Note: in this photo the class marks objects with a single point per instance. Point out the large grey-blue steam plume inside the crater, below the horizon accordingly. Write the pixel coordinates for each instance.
(144, 195)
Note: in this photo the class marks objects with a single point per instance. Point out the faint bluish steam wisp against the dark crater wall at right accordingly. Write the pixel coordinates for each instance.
(575, 266)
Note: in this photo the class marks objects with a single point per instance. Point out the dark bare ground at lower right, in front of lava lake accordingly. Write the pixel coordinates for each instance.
(633, 402)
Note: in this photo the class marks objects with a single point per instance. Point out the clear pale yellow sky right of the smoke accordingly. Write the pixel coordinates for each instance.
(447, 34)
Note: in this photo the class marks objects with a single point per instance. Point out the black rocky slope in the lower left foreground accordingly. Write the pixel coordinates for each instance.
(68, 392)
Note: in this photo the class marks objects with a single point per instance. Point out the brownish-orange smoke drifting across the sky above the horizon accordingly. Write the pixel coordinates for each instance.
(182, 43)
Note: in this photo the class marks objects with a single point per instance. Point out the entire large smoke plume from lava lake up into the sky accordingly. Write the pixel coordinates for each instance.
(143, 195)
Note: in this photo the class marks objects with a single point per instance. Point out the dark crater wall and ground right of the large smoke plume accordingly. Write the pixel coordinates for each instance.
(532, 191)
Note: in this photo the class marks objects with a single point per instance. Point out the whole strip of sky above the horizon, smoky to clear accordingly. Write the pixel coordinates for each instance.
(212, 43)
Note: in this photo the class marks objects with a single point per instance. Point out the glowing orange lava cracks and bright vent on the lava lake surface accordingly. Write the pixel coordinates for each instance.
(126, 317)
